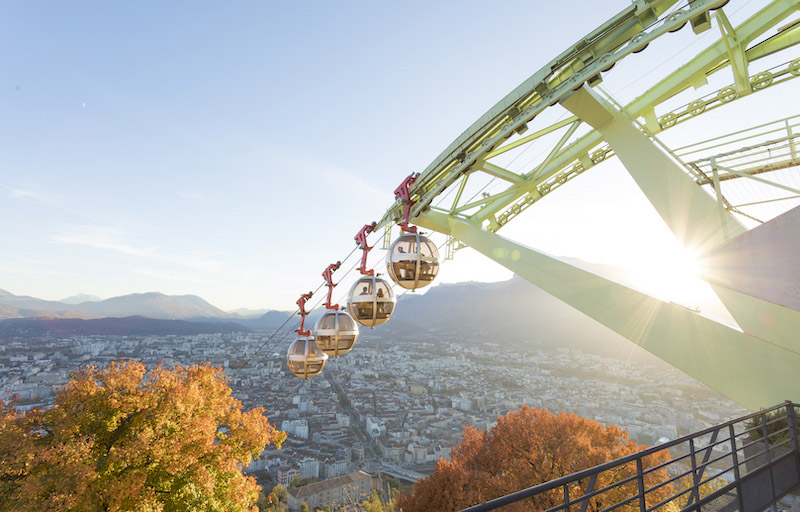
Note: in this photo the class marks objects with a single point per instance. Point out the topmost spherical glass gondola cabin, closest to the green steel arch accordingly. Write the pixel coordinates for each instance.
(413, 261)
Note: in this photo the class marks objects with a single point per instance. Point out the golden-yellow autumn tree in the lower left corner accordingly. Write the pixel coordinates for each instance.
(124, 438)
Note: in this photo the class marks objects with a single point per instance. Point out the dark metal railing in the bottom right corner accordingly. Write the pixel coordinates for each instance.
(746, 465)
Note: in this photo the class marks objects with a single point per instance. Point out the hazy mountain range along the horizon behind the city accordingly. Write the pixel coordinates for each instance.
(512, 311)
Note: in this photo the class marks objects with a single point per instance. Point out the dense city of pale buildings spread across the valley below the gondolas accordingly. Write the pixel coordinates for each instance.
(392, 406)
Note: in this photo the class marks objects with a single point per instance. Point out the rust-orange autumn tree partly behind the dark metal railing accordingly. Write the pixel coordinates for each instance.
(527, 448)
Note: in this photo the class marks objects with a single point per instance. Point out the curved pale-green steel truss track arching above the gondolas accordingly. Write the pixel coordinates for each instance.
(584, 63)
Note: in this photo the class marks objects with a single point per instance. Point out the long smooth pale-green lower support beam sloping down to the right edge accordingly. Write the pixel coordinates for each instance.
(747, 369)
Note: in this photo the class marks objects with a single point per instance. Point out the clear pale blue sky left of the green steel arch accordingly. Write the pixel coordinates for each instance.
(232, 150)
